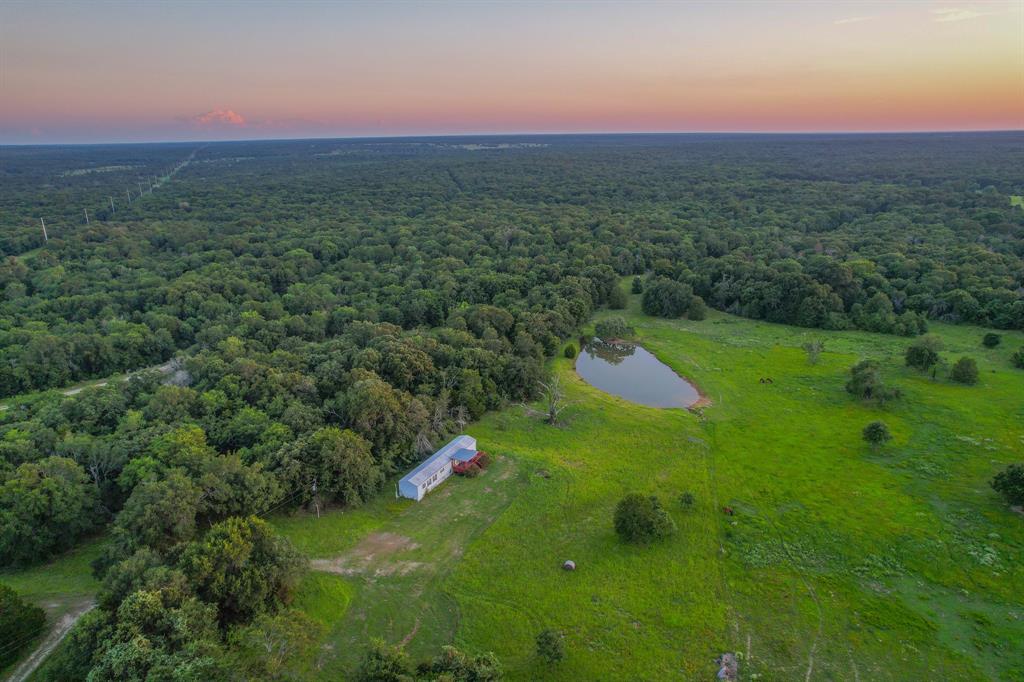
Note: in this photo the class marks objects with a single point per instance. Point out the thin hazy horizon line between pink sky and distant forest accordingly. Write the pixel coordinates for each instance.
(958, 132)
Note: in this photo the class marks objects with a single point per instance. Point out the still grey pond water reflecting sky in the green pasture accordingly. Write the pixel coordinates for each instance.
(631, 372)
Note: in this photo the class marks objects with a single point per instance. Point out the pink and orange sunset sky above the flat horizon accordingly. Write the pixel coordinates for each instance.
(78, 72)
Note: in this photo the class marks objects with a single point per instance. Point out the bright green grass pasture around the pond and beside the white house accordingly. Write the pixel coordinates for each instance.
(840, 564)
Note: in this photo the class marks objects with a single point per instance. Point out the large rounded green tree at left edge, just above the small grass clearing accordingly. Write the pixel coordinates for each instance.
(46, 507)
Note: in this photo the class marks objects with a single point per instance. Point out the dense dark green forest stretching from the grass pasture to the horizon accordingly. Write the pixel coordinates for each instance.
(303, 320)
